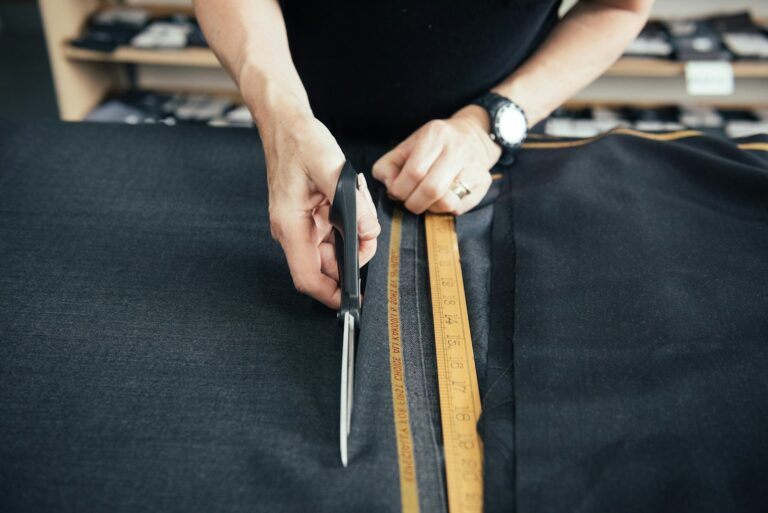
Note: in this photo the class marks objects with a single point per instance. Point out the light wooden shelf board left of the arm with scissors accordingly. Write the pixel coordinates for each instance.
(194, 57)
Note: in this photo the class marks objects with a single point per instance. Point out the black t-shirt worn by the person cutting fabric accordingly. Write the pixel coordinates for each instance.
(382, 68)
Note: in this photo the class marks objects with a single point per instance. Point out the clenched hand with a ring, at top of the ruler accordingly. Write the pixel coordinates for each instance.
(421, 170)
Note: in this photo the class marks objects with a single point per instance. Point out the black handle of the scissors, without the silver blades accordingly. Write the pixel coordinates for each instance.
(343, 217)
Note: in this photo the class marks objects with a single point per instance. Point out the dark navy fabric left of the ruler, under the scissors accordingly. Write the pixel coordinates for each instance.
(154, 355)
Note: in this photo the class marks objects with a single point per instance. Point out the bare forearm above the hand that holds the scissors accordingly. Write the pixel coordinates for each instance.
(249, 38)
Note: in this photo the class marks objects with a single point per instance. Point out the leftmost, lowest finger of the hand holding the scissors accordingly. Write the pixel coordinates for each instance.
(298, 240)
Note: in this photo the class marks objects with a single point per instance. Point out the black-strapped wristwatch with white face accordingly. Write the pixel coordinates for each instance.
(509, 126)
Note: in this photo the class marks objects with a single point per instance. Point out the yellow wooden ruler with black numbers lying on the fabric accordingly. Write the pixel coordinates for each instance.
(456, 374)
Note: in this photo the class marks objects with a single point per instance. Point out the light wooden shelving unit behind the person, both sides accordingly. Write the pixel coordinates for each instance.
(84, 77)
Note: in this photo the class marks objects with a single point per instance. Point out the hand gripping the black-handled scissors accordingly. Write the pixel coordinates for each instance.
(303, 165)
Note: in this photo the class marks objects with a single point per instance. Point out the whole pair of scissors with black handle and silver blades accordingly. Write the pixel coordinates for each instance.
(343, 218)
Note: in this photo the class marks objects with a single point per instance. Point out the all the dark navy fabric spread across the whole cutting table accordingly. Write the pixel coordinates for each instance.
(154, 355)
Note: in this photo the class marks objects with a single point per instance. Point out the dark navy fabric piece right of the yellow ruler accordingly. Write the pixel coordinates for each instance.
(631, 285)
